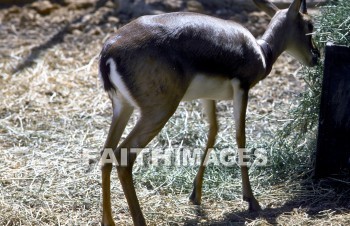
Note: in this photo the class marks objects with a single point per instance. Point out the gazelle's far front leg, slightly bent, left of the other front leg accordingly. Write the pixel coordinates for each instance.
(210, 111)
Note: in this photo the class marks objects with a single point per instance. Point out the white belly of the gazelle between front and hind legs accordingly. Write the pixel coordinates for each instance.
(209, 87)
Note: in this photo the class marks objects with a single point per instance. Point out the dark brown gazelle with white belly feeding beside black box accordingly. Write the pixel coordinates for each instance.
(155, 62)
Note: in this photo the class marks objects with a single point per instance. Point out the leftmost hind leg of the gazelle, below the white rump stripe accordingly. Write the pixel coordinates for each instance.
(121, 115)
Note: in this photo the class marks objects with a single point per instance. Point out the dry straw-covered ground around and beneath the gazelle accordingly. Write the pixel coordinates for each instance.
(54, 117)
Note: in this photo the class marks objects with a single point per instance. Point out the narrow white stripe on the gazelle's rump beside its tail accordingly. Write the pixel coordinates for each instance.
(119, 84)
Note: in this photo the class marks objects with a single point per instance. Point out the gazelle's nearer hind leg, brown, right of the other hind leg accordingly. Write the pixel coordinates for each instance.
(151, 122)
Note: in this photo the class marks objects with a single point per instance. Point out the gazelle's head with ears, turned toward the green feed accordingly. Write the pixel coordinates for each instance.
(295, 27)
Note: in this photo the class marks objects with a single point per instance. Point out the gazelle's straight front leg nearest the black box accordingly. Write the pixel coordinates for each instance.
(240, 106)
